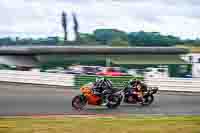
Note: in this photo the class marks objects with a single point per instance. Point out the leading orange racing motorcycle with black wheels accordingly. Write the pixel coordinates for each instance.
(111, 99)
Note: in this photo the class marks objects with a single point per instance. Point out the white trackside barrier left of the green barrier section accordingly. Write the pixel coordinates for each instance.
(36, 77)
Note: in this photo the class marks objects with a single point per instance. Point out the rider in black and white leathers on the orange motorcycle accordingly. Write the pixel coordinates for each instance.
(101, 87)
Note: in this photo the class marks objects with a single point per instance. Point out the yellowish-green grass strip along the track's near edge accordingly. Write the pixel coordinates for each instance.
(181, 124)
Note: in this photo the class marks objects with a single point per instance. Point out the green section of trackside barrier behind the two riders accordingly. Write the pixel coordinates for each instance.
(118, 82)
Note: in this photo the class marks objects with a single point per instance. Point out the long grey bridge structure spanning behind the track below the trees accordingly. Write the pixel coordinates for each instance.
(30, 56)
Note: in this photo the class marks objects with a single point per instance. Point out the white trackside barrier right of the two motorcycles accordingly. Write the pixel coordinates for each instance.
(175, 84)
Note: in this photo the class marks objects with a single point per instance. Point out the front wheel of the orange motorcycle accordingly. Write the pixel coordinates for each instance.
(78, 102)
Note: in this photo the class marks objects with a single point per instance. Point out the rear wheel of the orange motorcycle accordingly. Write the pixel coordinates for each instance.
(114, 98)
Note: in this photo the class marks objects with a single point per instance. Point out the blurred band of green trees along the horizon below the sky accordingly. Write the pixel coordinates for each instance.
(112, 37)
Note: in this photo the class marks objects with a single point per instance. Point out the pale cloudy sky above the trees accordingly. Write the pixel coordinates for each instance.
(41, 18)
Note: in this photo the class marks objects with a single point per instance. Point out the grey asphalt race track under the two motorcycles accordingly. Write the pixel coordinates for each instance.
(27, 99)
